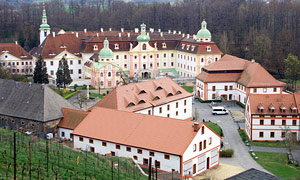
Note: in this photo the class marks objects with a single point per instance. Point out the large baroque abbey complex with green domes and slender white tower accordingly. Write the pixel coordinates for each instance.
(101, 57)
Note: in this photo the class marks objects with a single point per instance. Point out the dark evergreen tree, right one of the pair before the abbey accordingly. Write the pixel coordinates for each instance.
(63, 76)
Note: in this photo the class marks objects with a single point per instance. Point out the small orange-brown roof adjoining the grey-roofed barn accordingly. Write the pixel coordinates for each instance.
(72, 118)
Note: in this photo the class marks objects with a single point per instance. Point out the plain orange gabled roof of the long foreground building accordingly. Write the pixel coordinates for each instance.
(139, 130)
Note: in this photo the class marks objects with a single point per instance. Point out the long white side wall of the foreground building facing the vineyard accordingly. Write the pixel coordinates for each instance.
(165, 165)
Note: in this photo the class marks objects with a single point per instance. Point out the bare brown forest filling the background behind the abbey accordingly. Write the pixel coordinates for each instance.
(266, 31)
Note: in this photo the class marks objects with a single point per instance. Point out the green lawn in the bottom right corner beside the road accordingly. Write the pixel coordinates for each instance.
(277, 164)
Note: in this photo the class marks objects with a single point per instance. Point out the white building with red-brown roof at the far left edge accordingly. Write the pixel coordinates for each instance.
(16, 59)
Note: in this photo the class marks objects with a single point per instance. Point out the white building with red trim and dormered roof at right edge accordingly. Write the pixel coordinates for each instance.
(270, 117)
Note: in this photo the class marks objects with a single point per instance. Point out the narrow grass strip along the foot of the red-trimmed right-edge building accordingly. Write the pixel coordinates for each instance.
(244, 137)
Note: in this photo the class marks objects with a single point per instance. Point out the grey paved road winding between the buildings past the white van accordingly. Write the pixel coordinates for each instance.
(232, 138)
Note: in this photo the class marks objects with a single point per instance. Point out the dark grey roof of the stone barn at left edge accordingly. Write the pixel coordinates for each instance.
(30, 101)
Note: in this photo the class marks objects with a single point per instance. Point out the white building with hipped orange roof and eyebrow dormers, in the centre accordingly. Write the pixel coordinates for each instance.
(160, 97)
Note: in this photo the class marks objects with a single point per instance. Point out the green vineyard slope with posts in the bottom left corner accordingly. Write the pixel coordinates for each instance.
(41, 159)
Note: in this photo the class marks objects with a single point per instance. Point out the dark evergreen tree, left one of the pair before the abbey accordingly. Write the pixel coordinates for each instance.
(40, 72)
